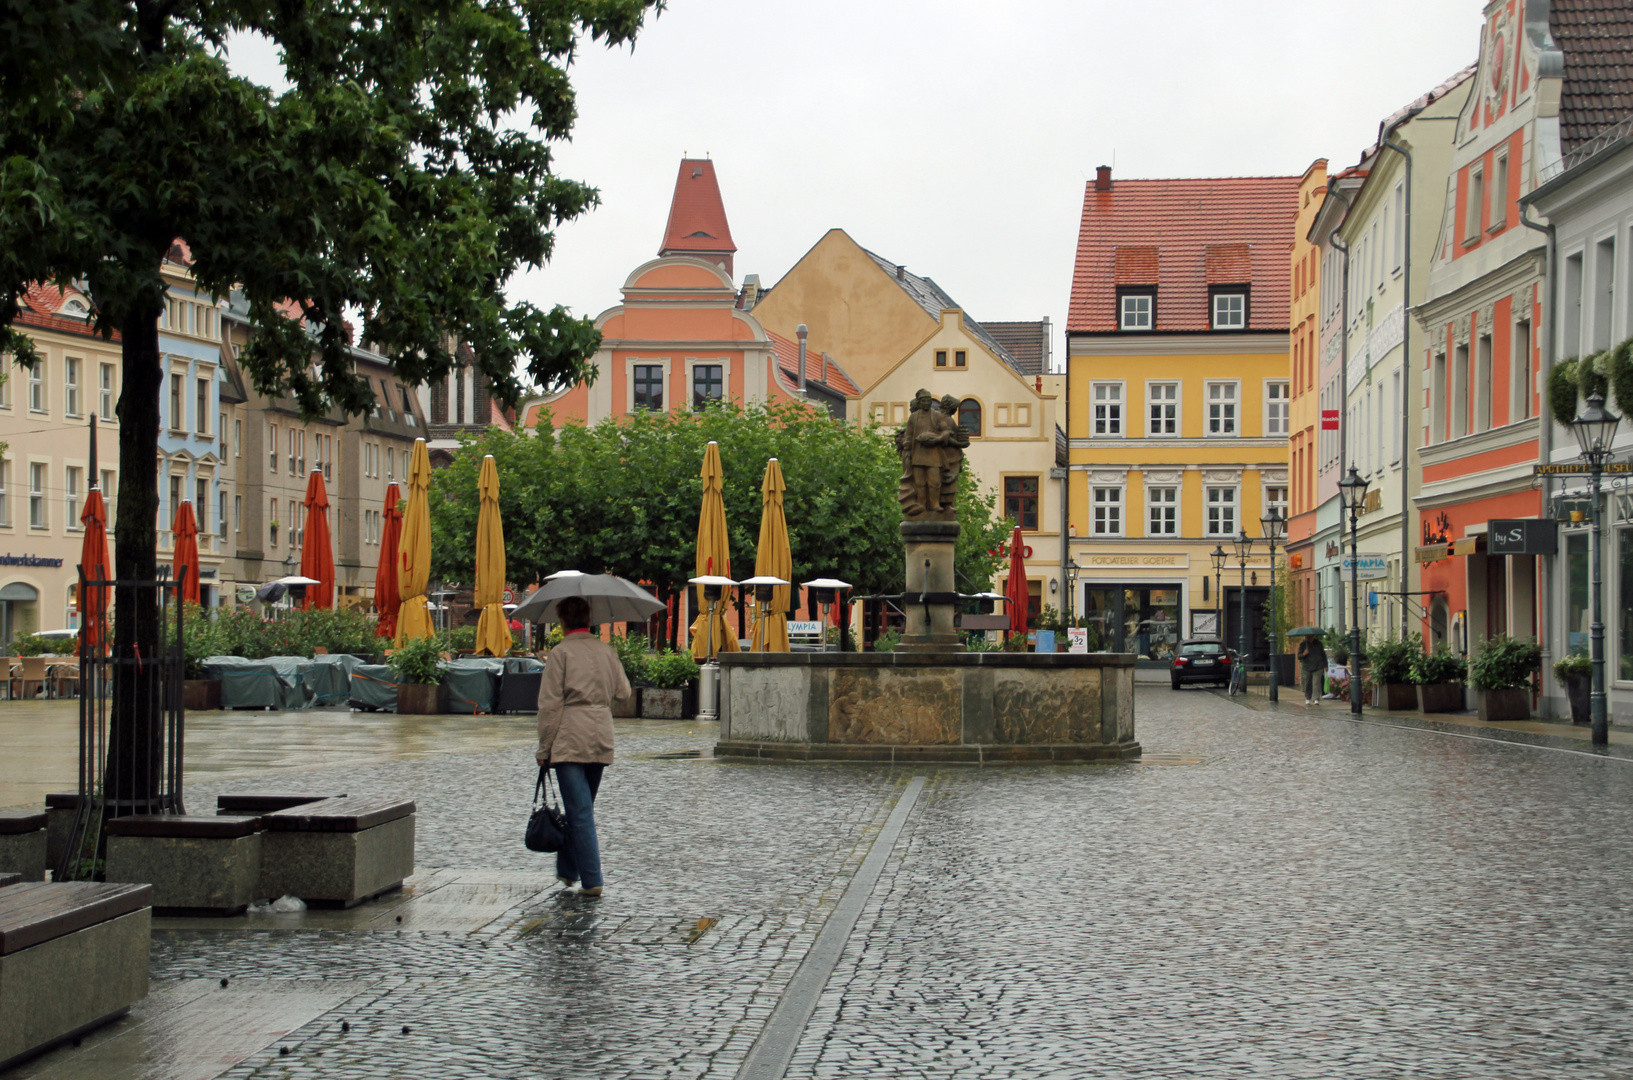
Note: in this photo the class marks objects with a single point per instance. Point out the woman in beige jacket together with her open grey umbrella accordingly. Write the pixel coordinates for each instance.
(582, 681)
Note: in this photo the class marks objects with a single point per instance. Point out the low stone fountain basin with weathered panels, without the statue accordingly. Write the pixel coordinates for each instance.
(914, 707)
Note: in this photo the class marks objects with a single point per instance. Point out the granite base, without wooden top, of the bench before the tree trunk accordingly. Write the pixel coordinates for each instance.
(190, 873)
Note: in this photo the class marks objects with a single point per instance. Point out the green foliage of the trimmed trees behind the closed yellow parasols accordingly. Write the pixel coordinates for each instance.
(623, 498)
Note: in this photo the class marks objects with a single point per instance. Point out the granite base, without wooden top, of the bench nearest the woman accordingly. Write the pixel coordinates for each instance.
(340, 868)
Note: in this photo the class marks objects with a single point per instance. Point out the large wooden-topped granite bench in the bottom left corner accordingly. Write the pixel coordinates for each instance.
(73, 957)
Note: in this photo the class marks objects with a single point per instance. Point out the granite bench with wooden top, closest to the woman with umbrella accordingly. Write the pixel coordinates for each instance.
(339, 852)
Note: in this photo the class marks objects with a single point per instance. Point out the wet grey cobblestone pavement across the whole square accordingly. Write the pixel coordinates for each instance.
(1266, 896)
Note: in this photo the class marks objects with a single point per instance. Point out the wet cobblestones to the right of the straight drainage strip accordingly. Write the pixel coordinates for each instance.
(1314, 899)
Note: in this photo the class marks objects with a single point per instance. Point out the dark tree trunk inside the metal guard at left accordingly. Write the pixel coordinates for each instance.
(136, 730)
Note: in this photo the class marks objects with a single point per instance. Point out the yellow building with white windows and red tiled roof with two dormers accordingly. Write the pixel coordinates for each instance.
(1178, 404)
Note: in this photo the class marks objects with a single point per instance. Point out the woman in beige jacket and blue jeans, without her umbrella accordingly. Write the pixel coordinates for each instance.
(582, 681)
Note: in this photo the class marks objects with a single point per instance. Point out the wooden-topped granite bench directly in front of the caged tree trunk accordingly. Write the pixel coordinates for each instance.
(197, 865)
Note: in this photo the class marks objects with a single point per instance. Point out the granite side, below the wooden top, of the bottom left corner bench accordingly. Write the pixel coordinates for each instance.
(63, 988)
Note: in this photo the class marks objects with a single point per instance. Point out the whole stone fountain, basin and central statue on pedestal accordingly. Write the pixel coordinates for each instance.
(930, 700)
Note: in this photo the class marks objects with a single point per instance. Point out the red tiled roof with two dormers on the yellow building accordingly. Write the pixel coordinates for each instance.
(1183, 234)
